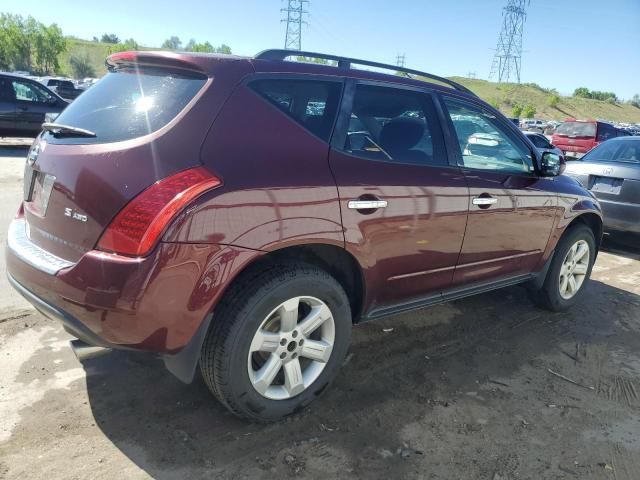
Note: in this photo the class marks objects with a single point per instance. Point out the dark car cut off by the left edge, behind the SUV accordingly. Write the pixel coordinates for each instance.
(25, 104)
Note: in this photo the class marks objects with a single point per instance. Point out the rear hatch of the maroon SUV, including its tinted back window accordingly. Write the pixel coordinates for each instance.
(149, 115)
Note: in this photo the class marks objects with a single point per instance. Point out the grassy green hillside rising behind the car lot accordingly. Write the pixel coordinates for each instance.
(504, 96)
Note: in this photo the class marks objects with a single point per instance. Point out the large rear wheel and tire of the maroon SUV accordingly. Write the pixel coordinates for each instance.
(260, 359)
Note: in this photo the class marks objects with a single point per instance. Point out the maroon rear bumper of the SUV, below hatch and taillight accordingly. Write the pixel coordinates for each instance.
(156, 303)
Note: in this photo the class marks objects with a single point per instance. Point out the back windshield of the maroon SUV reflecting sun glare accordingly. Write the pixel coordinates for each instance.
(129, 103)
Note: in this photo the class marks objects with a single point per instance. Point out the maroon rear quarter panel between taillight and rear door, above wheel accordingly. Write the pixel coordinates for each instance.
(277, 188)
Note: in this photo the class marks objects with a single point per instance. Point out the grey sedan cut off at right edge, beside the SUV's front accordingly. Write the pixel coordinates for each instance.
(611, 171)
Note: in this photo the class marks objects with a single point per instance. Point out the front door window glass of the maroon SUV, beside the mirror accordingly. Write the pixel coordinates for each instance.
(483, 143)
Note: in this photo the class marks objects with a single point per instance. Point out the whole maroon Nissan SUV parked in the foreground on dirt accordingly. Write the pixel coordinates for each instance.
(240, 214)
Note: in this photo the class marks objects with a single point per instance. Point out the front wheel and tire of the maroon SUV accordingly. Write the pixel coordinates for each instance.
(570, 270)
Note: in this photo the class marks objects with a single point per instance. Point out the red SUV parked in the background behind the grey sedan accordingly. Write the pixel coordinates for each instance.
(576, 137)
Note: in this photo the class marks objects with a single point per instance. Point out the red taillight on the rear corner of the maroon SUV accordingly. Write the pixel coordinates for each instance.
(139, 225)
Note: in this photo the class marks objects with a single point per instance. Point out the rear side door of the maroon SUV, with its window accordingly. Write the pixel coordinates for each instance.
(404, 207)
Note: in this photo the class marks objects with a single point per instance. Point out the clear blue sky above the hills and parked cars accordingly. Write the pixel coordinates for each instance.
(567, 43)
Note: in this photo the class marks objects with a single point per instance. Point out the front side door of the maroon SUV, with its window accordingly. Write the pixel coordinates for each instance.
(511, 209)
